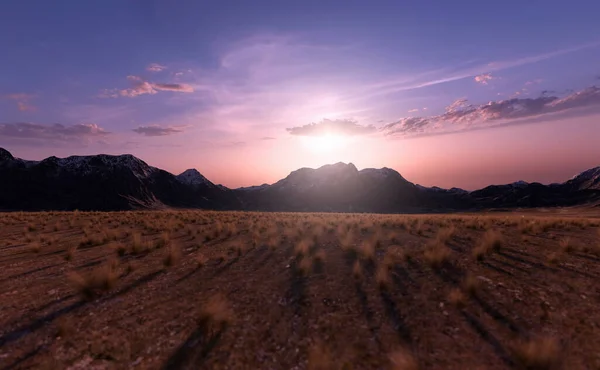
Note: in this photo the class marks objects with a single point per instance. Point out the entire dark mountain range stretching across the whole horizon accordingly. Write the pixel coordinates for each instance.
(107, 182)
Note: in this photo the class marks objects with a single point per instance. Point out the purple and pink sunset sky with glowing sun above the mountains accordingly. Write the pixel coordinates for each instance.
(448, 93)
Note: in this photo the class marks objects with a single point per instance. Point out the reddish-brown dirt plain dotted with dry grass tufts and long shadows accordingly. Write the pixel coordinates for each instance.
(233, 290)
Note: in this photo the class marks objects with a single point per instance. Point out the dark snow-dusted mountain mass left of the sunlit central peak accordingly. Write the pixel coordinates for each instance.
(102, 182)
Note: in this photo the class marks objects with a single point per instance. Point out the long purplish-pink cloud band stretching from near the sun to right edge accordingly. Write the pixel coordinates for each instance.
(462, 116)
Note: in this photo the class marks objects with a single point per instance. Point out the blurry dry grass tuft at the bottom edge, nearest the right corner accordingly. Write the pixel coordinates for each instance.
(538, 354)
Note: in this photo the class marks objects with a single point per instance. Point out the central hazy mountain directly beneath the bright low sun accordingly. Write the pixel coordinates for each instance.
(339, 187)
